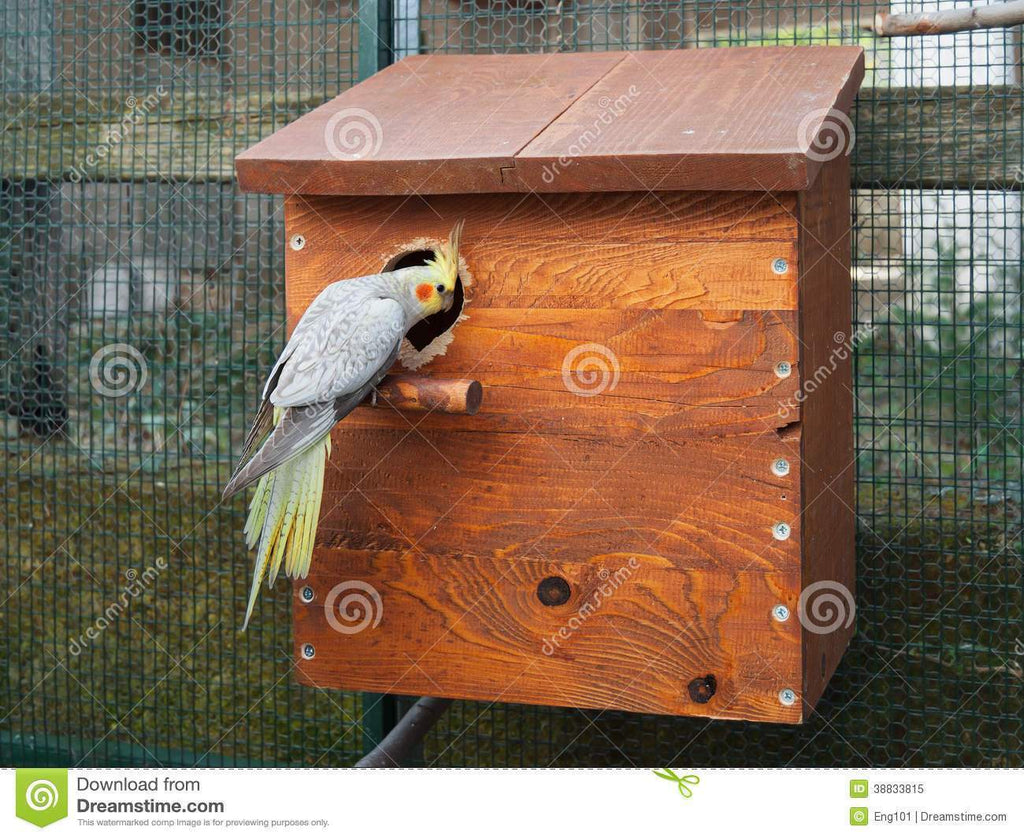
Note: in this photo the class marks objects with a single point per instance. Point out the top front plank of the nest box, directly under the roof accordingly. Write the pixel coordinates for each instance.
(571, 254)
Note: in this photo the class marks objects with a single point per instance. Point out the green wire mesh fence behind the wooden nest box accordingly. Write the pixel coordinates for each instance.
(142, 306)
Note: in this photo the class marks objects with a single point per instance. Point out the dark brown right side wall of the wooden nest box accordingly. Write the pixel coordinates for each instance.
(829, 468)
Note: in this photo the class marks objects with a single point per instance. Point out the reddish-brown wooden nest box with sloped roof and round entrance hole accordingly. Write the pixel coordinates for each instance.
(657, 492)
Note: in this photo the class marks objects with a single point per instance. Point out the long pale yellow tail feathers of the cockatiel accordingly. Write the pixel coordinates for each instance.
(283, 519)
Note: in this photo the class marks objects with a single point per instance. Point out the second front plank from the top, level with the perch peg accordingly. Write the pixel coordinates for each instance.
(693, 376)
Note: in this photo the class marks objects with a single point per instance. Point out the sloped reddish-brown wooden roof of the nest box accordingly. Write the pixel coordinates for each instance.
(702, 119)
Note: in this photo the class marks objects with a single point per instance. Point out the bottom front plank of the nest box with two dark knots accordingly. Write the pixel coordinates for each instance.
(630, 638)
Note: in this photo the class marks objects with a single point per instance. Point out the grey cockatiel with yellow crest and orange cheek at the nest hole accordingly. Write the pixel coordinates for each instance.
(342, 349)
